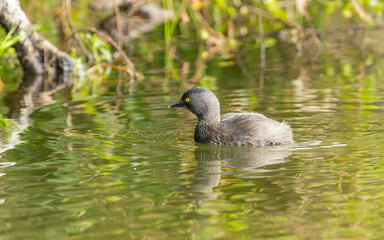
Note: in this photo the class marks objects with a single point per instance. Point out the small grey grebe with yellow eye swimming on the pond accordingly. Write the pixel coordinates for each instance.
(231, 128)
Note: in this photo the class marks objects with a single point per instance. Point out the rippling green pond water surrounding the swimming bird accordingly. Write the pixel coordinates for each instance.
(124, 166)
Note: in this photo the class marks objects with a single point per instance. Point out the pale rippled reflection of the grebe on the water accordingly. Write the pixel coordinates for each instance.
(235, 160)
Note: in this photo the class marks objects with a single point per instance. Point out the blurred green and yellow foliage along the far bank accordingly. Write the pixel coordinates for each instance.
(239, 31)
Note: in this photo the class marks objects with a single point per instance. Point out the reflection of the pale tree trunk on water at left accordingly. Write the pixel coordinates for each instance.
(34, 92)
